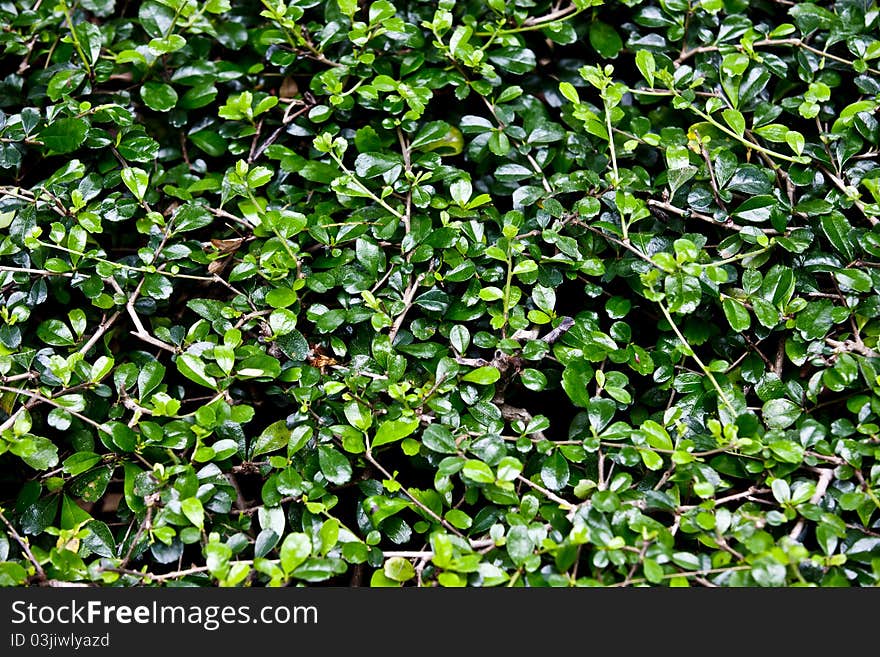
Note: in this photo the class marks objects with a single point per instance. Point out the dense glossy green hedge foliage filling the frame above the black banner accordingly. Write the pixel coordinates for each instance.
(504, 293)
